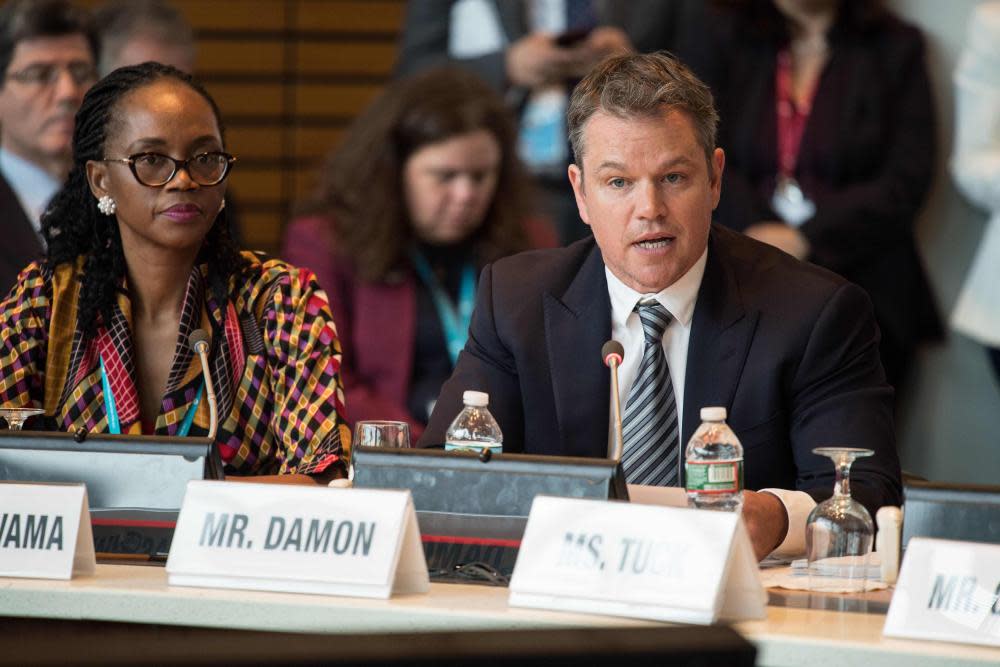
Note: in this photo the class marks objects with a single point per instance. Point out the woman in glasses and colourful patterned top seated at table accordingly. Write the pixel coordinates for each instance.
(139, 257)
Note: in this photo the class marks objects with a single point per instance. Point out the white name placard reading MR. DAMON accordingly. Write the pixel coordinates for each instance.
(355, 542)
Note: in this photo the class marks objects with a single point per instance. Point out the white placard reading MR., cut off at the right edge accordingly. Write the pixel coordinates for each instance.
(947, 591)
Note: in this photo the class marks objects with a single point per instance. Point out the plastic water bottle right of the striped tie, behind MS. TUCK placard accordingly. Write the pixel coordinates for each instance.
(713, 465)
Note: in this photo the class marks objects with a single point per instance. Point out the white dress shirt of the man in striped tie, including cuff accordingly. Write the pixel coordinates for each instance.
(679, 299)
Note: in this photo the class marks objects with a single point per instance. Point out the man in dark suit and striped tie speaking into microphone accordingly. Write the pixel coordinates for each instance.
(789, 349)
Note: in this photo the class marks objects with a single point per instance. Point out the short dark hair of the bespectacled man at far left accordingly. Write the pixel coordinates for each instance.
(35, 19)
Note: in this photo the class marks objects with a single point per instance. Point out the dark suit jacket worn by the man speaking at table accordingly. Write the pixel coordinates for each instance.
(791, 350)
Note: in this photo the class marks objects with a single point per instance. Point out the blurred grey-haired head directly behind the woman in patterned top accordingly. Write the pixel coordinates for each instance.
(137, 31)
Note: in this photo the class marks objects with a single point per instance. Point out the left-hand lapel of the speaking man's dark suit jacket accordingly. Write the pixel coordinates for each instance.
(577, 324)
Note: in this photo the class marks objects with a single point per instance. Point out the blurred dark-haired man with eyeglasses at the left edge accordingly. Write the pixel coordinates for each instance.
(48, 51)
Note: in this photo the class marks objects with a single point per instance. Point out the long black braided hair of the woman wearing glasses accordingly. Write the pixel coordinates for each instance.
(73, 226)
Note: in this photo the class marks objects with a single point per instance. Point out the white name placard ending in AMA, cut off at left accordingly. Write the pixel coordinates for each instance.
(45, 531)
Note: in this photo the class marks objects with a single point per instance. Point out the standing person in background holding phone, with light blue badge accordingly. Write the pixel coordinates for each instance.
(532, 52)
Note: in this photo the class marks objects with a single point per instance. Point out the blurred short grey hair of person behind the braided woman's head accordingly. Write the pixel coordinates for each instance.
(121, 21)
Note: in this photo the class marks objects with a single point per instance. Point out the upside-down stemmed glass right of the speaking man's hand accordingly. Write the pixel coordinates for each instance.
(839, 531)
